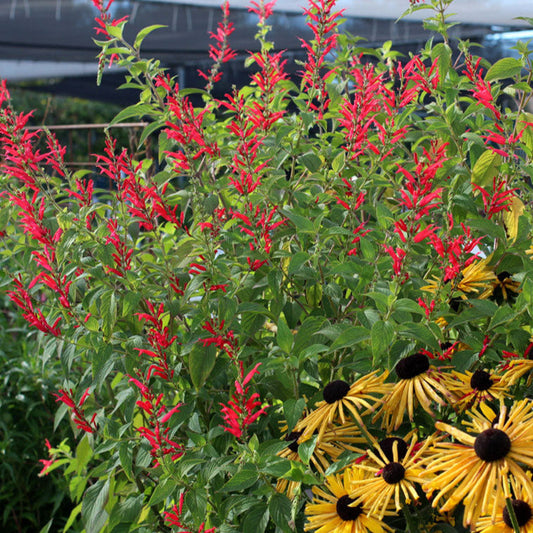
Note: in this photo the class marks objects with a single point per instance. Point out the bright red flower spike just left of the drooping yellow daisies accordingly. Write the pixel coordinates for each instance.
(244, 408)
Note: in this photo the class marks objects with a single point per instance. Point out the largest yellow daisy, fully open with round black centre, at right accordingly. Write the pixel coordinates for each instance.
(476, 469)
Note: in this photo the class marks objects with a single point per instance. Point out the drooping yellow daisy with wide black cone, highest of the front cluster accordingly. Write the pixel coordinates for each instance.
(419, 383)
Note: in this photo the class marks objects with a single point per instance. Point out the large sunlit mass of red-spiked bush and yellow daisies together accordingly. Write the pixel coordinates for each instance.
(348, 262)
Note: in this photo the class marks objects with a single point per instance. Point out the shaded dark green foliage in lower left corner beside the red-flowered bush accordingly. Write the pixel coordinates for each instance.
(27, 413)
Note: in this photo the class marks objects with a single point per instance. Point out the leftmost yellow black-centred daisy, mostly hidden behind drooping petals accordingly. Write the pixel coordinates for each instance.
(335, 441)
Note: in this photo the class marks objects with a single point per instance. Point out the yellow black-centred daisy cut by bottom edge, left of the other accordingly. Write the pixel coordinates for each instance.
(333, 511)
